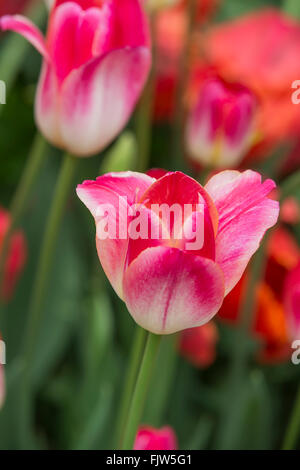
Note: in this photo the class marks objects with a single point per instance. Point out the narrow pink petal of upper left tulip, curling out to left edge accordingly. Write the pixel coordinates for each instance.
(26, 28)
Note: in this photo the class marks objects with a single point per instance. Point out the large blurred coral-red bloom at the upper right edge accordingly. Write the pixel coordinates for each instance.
(261, 50)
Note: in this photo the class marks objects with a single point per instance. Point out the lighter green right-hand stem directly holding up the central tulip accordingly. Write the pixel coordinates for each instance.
(140, 391)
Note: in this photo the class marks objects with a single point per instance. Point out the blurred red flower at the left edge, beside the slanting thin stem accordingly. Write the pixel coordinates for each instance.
(16, 256)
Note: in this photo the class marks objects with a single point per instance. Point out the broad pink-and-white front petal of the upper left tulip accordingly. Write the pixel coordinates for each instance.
(106, 92)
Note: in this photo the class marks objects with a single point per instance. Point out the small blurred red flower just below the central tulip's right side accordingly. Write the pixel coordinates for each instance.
(198, 345)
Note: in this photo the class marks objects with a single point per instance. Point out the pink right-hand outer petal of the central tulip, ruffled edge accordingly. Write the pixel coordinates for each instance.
(245, 213)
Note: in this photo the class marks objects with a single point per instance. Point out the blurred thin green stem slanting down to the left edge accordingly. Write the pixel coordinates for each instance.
(21, 196)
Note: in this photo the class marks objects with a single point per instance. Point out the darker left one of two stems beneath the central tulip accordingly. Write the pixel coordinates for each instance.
(132, 372)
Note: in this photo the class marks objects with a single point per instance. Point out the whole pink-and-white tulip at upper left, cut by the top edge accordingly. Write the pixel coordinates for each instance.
(96, 61)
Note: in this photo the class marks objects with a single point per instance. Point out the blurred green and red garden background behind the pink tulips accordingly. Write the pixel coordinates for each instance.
(230, 384)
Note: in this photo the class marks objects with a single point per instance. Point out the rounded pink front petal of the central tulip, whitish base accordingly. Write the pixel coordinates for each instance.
(168, 290)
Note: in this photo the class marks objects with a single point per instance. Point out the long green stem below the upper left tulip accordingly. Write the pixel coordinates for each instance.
(61, 194)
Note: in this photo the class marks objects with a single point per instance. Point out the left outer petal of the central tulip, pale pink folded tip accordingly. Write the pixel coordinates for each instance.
(115, 189)
